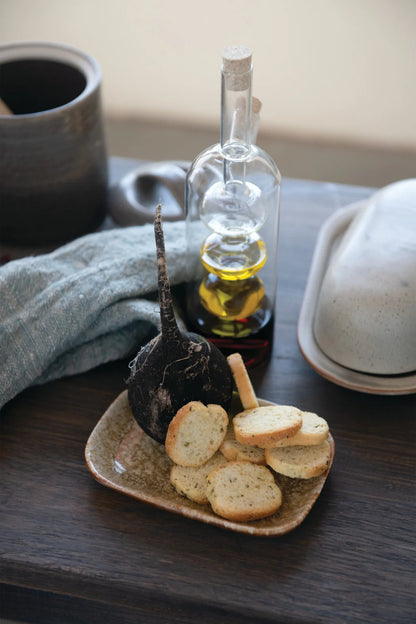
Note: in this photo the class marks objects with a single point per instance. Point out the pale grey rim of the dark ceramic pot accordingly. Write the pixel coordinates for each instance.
(60, 53)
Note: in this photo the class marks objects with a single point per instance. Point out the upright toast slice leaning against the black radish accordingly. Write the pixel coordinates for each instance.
(195, 433)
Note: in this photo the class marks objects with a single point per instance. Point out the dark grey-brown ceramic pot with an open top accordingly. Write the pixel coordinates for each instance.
(53, 163)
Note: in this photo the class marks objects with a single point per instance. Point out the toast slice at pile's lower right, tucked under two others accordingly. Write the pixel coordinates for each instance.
(300, 462)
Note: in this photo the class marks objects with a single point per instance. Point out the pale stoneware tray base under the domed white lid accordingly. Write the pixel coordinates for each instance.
(329, 239)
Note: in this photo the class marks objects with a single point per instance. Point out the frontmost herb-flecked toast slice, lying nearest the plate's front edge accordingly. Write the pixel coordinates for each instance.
(241, 491)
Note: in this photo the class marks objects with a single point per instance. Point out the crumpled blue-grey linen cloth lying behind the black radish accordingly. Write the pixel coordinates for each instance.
(89, 302)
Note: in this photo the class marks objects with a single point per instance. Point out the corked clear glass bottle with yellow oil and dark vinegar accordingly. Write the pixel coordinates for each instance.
(232, 221)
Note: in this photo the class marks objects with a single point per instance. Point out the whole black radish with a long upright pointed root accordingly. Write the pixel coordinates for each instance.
(175, 367)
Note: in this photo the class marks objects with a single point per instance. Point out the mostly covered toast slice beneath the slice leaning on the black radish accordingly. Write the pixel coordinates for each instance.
(191, 481)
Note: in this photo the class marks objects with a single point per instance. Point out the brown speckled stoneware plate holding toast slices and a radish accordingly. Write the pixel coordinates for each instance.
(120, 456)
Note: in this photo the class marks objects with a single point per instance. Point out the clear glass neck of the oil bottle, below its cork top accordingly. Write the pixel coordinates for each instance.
(236, 114)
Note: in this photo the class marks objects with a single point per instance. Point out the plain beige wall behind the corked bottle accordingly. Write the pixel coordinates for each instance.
(336, 70)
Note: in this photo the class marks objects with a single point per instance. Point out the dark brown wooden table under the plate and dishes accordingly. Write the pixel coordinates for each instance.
(73, 551)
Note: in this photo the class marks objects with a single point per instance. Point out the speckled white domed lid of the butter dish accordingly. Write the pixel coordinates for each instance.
(365, 317)
